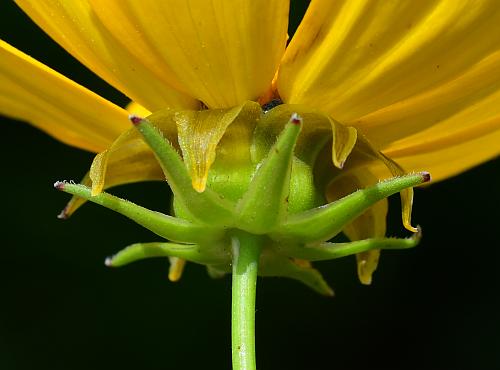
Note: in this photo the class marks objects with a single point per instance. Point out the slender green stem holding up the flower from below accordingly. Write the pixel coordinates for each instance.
(246, 251)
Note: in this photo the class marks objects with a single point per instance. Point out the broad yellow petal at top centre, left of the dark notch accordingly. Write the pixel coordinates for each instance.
(220, 52)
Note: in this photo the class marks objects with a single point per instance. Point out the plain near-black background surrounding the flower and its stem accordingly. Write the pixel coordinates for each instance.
(433, 307)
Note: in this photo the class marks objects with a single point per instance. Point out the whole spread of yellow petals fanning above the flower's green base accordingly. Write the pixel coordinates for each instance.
(421, 80)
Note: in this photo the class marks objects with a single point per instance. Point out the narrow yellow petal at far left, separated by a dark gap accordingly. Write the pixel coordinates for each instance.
(32, 92)
